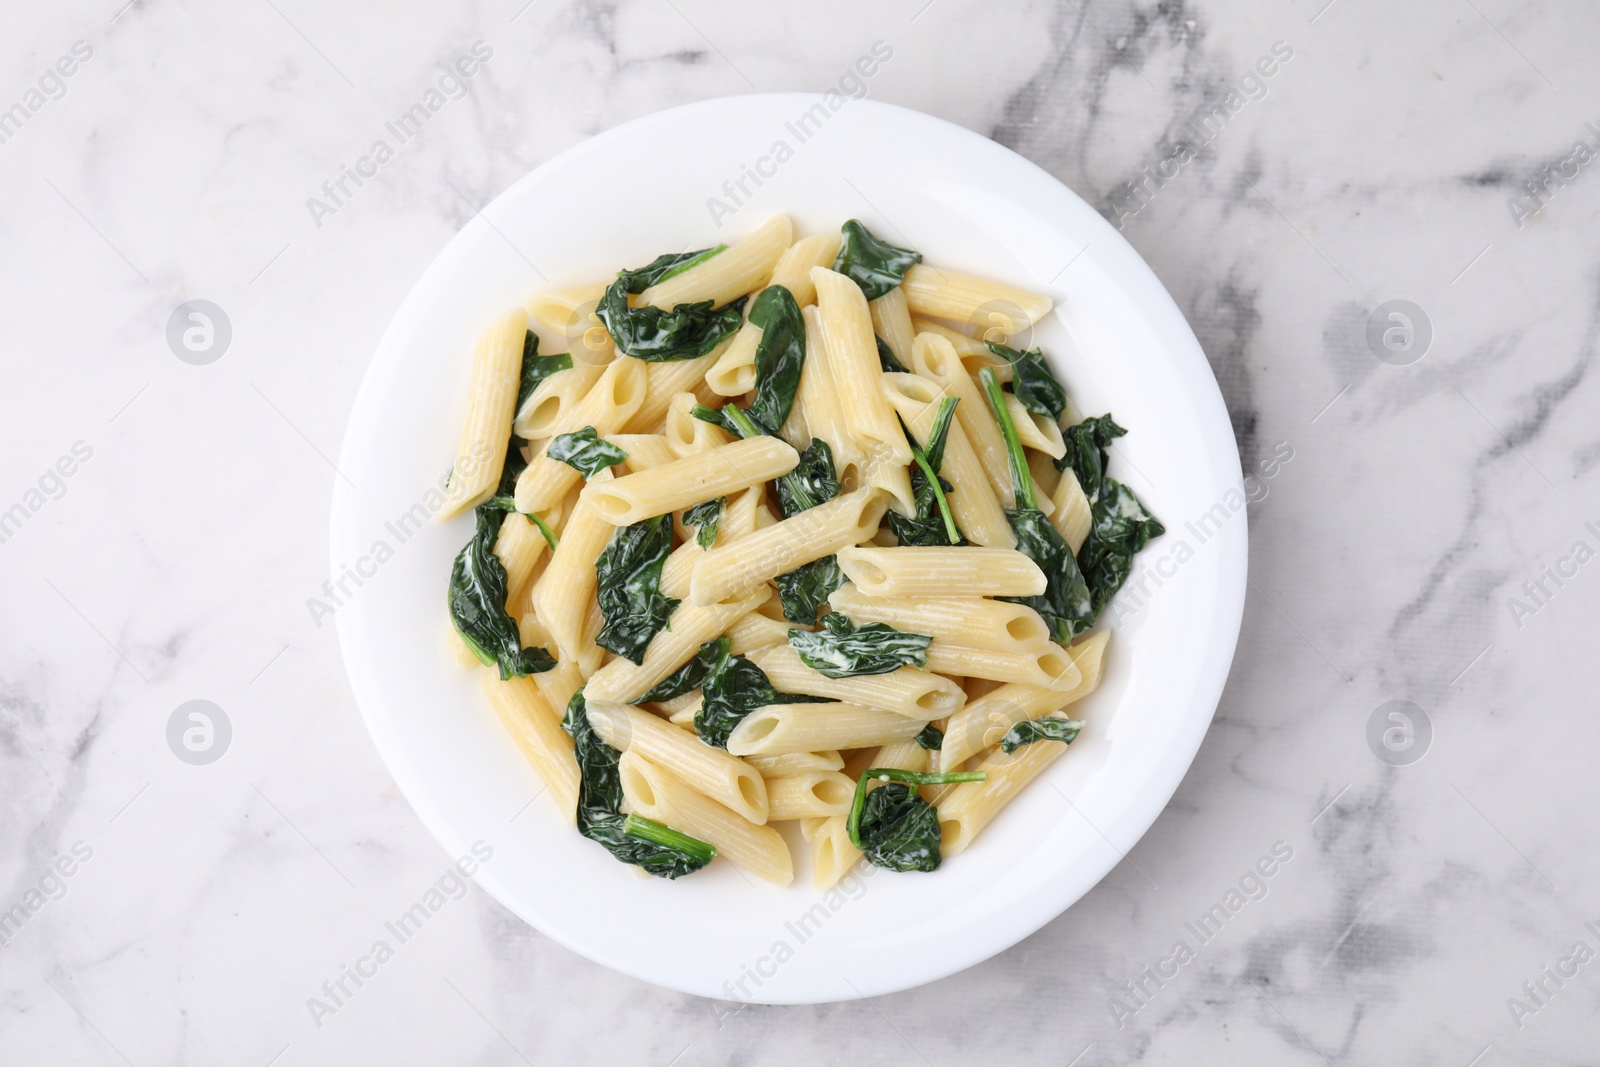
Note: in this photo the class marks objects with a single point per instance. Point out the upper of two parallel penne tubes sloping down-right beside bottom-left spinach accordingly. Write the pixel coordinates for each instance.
(679, 753)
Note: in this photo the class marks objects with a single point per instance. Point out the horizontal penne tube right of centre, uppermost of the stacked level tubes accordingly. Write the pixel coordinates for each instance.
(940, 572)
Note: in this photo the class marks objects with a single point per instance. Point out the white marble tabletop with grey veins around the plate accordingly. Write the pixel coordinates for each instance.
(178, 559)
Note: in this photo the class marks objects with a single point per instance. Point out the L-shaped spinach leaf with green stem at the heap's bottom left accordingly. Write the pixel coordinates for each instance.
(601, 801)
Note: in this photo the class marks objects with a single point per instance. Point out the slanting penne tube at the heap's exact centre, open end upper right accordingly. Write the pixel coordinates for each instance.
(769, 553)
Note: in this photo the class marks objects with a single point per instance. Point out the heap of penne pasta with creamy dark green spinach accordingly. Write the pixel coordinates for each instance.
(794, 529)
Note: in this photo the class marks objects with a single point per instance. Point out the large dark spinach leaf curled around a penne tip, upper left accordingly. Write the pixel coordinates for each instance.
(655, 335)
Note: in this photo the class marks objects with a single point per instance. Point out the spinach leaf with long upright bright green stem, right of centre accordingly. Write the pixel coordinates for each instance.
(1065, 605)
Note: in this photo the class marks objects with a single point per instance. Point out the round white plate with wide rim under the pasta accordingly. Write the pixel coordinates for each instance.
(1118, 342)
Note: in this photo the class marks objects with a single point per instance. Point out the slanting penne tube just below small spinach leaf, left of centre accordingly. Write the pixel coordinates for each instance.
(692, 481)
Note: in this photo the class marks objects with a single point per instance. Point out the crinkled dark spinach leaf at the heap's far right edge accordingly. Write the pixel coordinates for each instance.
(1121, 524)
